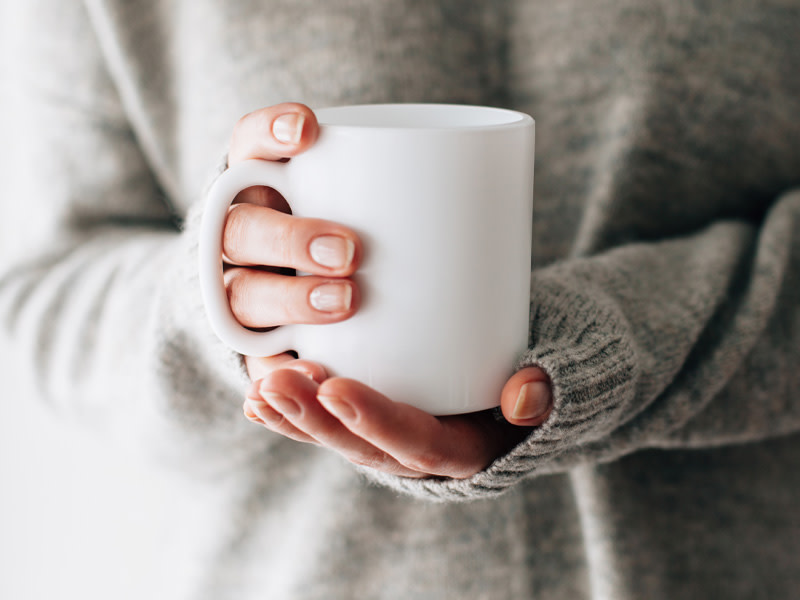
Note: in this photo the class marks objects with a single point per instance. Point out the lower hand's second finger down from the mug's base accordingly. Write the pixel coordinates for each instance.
(295, 397)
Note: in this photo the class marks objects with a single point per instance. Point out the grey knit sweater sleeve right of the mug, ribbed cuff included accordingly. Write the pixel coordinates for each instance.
(685, 343)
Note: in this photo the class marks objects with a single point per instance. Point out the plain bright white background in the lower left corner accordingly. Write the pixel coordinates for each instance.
(77, 518)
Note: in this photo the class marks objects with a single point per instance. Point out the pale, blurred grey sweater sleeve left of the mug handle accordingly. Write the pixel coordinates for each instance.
(100, 310)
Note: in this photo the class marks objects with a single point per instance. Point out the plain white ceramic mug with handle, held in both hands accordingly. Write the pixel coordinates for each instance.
(441, 197)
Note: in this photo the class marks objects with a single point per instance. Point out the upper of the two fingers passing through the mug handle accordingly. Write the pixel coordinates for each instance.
(254, 235)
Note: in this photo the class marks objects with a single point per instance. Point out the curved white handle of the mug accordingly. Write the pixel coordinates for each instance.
(222, 192)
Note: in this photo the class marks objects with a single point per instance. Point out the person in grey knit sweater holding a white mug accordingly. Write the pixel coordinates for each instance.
(649, 447)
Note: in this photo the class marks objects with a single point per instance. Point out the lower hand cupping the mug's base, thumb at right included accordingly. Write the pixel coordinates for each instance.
(297, 400)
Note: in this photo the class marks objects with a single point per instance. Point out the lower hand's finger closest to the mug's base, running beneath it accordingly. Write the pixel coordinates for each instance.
(450, 447)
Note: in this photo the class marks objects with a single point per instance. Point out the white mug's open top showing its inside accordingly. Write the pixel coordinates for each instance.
(419, 116)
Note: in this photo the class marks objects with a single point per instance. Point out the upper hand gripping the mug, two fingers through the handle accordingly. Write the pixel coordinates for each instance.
(262, 241)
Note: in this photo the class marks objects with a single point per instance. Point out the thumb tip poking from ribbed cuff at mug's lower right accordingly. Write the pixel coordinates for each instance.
(527, 397)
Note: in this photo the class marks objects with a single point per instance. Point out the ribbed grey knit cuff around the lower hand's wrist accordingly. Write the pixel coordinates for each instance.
(582, 342)
